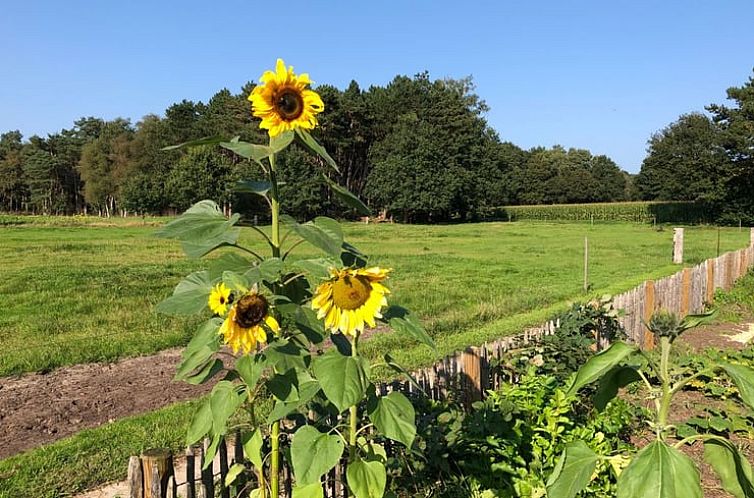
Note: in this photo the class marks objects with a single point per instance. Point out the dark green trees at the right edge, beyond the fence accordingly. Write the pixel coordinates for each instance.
(708, 158)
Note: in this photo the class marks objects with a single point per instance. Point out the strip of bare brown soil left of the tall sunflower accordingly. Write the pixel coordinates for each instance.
(37, 409)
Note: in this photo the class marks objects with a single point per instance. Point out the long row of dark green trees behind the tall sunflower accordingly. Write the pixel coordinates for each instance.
(416, 149)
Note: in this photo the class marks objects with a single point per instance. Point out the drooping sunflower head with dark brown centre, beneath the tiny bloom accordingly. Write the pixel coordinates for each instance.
(246, 322)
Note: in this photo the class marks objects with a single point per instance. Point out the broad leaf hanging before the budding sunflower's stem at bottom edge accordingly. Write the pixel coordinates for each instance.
(660, 471)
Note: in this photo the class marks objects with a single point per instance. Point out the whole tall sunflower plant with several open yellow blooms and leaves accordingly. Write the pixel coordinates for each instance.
(275, 316)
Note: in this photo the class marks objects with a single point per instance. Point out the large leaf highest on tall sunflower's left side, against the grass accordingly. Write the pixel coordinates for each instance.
(201, 229)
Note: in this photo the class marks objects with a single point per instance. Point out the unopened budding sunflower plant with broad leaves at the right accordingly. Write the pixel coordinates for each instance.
(660, 469)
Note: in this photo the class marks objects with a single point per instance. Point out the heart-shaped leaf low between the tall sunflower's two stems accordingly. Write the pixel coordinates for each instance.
(313, 454)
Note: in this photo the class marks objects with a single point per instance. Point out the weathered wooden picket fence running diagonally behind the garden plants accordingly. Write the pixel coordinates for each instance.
(467, 375)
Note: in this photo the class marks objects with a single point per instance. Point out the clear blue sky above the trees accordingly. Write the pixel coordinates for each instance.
(602, 75)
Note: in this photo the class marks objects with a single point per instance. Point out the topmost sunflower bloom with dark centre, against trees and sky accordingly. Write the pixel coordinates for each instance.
(284, 102)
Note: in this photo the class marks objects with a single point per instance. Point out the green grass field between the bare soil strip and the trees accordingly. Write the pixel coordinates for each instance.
(76, 292)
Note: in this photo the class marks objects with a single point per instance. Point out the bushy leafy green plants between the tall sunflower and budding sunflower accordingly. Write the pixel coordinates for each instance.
(508, 444)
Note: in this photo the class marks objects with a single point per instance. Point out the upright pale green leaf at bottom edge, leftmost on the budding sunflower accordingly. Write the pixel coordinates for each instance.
(573, 472)
